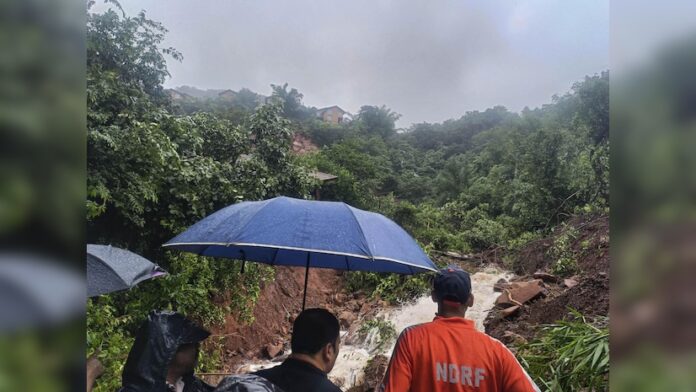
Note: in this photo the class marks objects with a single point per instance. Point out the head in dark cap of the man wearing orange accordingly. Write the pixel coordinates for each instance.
(452, 291)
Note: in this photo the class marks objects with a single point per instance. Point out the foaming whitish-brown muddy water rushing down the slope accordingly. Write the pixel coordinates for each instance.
(352, 359)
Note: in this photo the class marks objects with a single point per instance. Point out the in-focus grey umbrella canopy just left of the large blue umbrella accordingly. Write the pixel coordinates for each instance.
(112, 269)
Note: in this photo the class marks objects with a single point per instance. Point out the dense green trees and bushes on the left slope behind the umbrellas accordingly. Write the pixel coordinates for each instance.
(152, 173)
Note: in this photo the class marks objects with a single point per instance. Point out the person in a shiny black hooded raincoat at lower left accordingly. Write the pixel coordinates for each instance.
(166, 342)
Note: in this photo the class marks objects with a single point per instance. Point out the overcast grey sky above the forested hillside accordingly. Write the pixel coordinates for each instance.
(429, 61)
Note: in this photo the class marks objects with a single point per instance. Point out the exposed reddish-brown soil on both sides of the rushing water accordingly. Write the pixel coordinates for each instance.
(281, 300)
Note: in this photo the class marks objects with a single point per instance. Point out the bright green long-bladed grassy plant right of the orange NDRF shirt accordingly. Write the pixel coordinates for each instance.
(570, 355)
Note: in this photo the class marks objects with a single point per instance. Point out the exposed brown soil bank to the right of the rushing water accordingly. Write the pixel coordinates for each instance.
(590, 297)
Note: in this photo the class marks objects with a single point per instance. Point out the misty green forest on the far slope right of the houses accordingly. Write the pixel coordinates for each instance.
(491, 179)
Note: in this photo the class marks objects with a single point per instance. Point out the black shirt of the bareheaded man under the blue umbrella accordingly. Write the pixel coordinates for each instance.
(294, 375)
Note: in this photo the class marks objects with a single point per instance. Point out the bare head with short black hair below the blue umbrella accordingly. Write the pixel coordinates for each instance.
(315, 334)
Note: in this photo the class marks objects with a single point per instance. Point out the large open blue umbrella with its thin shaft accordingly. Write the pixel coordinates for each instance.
(318, 234)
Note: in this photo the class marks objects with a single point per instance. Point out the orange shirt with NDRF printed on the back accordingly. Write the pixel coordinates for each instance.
(449, 354)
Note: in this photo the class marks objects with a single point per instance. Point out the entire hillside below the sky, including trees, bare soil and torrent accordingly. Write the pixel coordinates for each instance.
(516, 192)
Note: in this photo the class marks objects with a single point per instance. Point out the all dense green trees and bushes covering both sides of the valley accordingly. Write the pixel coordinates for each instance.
(488, 179)
